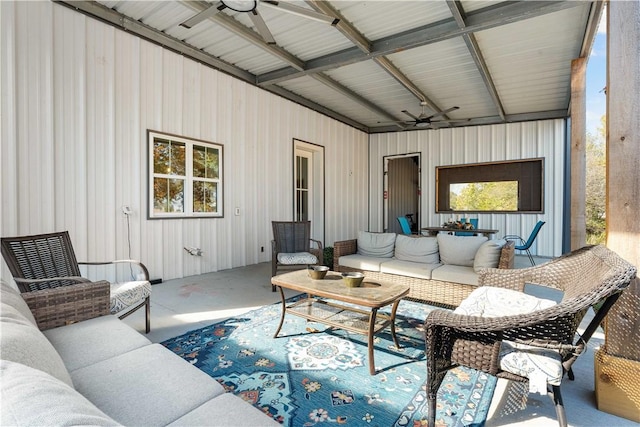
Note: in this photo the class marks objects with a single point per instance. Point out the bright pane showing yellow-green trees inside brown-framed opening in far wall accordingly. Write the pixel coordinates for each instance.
(484, 196)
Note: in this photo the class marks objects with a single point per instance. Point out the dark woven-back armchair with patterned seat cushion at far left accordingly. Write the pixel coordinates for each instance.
(48, 261)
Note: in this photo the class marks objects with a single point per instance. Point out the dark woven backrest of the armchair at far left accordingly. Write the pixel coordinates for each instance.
(40, 256)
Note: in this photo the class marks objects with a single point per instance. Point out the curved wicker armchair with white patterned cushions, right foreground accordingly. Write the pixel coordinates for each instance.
(500, 330)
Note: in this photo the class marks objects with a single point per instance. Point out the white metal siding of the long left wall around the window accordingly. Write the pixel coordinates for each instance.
(78, 98)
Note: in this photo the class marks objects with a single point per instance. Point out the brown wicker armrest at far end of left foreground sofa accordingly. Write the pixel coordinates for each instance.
(68, 304)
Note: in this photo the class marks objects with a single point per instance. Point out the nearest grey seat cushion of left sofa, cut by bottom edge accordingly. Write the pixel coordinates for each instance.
(223, 411)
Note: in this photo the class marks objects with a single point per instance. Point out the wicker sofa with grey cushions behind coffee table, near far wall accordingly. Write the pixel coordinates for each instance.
(441, 270)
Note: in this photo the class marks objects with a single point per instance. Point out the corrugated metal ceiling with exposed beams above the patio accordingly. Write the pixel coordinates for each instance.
(497, 61)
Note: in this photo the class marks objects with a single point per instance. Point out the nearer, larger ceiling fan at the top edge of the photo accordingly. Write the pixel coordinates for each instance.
(251, 7)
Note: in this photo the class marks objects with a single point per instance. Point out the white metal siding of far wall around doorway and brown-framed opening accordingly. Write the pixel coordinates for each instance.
(474, 145)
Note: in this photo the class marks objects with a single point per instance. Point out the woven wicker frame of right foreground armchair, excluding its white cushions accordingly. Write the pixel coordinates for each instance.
(591, 276)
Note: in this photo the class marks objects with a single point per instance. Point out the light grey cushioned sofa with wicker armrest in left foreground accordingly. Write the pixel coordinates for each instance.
(67, 361)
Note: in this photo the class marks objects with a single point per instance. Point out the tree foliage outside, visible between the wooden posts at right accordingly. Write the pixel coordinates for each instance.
(596, 185)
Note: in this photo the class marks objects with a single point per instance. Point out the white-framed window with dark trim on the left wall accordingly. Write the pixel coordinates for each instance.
(185, 177)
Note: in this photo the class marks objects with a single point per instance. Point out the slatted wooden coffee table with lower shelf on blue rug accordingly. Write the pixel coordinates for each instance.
(364, 319)
